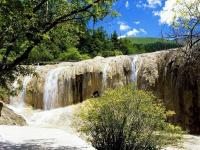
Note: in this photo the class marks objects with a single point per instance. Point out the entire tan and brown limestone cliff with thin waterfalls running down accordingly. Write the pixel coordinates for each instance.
(166, 73)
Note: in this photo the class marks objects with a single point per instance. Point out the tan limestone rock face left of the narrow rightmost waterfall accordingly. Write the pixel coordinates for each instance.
(69, 83)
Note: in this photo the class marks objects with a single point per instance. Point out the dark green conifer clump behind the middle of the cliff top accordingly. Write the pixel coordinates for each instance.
(97, 42)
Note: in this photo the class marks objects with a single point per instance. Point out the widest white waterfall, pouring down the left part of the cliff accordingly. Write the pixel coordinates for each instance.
(51, 88)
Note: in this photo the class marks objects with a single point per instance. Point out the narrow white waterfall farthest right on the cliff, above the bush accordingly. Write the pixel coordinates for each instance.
(134, 69)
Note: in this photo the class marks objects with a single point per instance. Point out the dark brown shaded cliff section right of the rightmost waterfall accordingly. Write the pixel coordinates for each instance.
(178, 84)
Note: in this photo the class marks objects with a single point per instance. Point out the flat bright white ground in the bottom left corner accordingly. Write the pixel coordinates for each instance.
(34, 138)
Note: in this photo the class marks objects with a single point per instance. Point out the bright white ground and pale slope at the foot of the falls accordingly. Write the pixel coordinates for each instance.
(49, 129)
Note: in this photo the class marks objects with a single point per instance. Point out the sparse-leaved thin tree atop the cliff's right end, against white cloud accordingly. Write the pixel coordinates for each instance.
(184, 18)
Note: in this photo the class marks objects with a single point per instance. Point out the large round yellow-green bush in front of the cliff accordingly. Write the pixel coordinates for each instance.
(126, 119)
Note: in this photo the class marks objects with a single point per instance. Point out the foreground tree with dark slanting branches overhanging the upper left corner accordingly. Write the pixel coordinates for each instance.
(25, 25)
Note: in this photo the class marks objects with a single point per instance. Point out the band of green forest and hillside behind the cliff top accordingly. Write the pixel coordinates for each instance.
(91, 43)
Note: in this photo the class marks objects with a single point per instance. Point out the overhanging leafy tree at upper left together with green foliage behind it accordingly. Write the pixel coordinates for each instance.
(43, 30)
